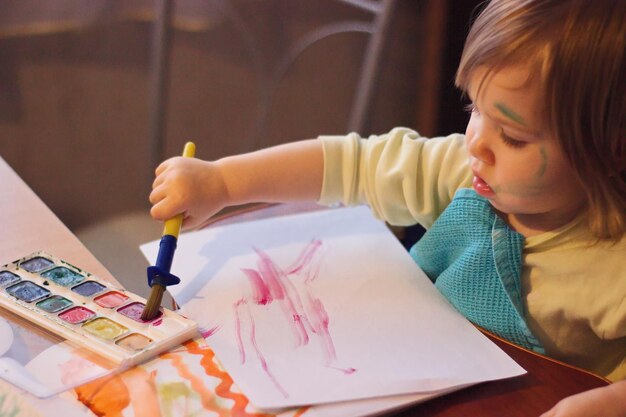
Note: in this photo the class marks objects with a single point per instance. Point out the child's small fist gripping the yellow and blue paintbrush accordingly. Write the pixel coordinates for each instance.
(189, 186)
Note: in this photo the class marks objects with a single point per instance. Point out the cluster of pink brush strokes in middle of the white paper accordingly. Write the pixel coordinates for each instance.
(270, 283)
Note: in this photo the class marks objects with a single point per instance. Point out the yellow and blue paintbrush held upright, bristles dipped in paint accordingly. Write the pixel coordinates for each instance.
(159, 276)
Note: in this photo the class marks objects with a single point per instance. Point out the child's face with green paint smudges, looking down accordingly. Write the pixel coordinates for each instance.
(517, 163)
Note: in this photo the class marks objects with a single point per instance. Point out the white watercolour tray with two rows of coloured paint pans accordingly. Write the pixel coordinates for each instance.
(88, 311)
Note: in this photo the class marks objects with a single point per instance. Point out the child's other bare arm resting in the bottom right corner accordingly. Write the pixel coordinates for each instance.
(609, 401)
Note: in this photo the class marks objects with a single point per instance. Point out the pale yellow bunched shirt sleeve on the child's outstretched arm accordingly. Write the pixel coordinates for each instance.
(404, 177)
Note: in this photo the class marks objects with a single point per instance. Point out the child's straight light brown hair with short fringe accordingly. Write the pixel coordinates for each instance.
(576, 48)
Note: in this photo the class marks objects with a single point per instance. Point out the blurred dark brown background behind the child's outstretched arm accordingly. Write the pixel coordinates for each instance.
(94, 94)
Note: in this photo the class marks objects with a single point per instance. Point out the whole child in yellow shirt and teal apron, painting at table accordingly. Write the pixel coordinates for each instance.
(525, 212)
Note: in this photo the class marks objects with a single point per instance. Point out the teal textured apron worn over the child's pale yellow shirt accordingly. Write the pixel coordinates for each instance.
(475, 261)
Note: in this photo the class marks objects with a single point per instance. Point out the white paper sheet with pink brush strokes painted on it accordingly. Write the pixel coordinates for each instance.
(325, 307)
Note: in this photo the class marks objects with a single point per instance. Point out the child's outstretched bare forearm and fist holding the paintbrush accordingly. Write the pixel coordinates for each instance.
(199, 189)
